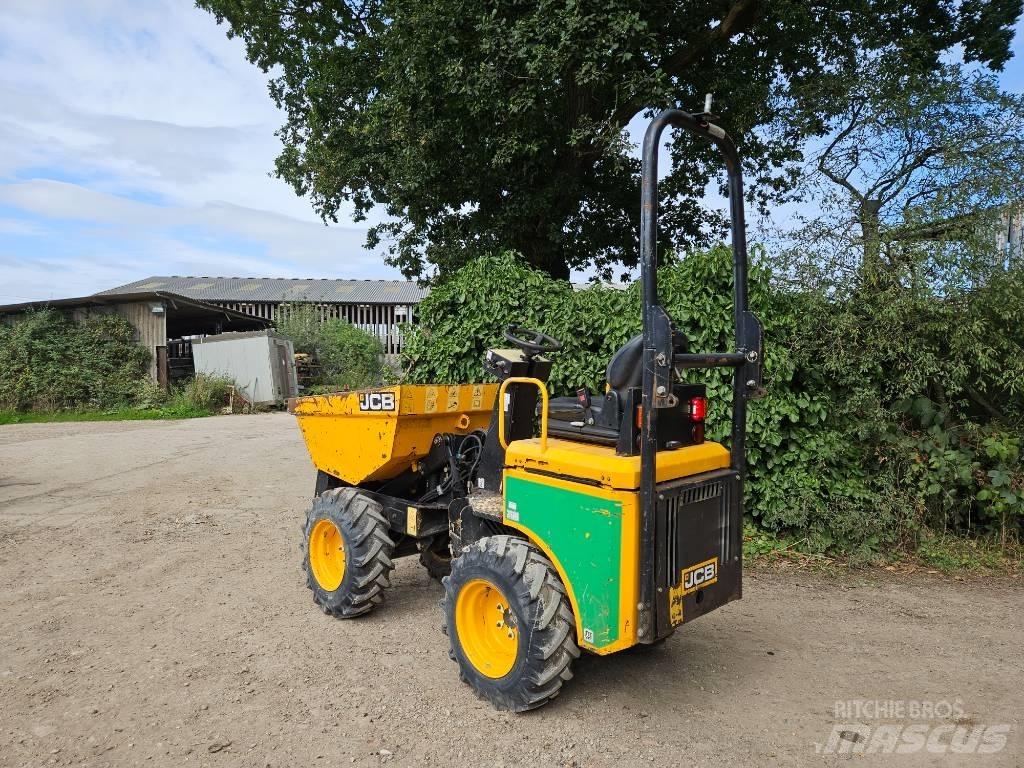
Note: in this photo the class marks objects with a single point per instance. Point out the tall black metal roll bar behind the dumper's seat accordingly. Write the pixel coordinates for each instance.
(659, 360)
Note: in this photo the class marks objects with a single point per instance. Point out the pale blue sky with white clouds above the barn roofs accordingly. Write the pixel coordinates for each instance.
(137, 140)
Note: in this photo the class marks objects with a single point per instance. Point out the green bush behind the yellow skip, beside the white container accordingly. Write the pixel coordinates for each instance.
(345, 357)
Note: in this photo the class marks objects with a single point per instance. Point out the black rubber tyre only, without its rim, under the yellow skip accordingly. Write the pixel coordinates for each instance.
(368, 552)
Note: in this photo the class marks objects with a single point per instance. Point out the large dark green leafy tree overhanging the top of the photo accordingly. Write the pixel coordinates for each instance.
(471, 126)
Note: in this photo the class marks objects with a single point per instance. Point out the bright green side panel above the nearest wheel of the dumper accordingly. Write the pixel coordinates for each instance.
(584, 533)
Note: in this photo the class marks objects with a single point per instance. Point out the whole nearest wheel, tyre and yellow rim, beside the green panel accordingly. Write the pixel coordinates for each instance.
(509, 623)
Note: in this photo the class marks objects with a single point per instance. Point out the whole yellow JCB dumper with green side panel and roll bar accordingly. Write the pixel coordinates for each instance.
(594, 523)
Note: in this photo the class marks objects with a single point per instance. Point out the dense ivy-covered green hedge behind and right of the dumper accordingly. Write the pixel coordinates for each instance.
(887, 412)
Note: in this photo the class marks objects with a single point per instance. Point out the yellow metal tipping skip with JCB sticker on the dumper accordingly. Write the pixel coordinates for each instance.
(376, 435)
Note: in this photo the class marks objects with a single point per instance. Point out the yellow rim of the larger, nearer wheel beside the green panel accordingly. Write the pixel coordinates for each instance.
(487, 627)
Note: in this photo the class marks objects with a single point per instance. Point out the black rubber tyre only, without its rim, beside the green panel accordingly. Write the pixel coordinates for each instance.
(547, 628)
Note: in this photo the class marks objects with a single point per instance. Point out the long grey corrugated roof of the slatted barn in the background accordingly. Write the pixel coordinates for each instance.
(282, 289)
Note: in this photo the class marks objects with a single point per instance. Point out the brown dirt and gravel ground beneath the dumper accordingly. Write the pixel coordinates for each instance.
(153, 612)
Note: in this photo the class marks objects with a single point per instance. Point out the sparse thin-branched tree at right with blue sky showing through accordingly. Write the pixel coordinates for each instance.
(918, 165)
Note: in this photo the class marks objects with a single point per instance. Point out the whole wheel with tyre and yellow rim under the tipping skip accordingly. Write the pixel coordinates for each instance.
(347, 552)
